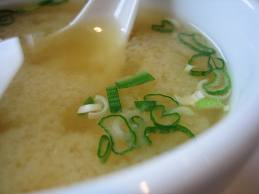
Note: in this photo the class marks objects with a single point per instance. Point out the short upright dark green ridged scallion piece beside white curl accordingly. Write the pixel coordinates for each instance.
(113, 99)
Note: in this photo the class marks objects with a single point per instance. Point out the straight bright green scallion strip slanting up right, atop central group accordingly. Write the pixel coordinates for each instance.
(135, 80)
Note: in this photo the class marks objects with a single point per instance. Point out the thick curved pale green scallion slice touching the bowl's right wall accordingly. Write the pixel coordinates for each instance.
(219, 85)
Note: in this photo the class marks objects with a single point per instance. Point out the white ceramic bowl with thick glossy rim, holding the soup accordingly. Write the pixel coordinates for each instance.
(206, 164)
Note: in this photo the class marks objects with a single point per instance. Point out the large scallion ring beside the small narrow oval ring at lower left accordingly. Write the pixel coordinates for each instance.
(122, 136)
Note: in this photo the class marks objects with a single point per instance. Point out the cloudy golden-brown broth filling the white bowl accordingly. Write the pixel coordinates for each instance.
(44, 143)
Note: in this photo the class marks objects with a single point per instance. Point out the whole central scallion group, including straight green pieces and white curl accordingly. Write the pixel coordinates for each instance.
(123, 134)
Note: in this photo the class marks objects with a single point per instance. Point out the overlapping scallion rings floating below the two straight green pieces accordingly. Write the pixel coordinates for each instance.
(123, 134)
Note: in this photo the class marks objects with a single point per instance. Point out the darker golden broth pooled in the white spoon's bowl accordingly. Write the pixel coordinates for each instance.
(86, 54)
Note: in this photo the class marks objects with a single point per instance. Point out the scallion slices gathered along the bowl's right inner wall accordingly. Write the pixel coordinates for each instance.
(211, 67)
